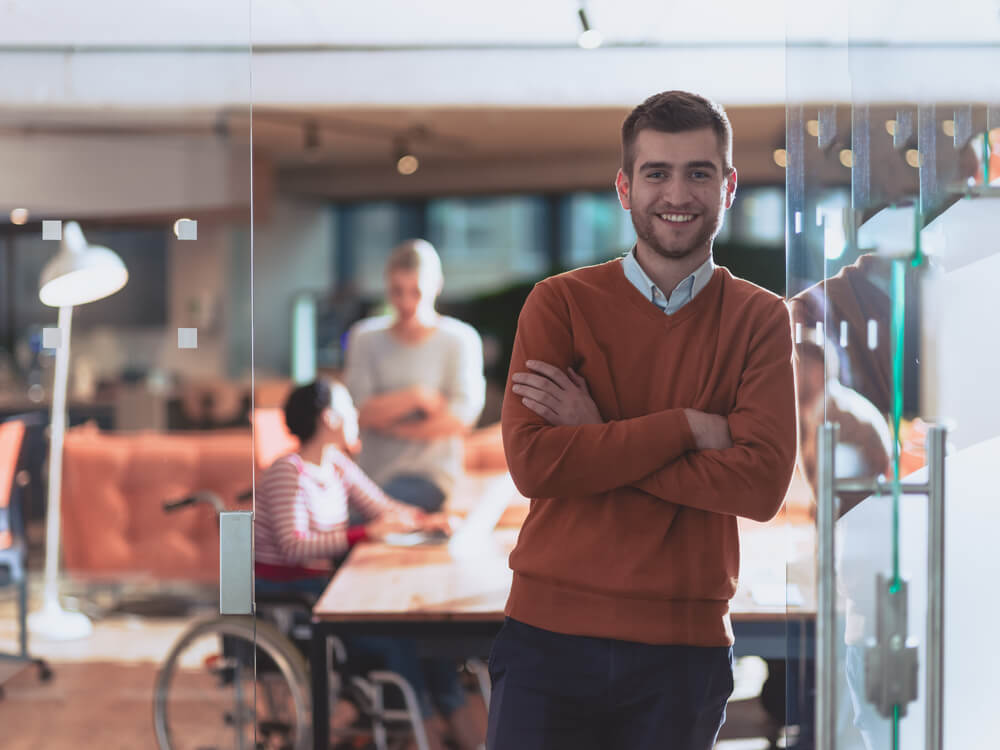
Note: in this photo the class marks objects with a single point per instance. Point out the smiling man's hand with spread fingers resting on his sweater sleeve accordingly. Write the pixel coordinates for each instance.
(561, 398)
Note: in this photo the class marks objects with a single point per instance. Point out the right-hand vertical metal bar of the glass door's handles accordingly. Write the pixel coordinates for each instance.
(936, 439)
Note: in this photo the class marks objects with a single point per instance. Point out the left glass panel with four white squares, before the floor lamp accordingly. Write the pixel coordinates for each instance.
(125, 359)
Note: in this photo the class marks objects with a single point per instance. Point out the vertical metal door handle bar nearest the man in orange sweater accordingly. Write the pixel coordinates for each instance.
(826, 605)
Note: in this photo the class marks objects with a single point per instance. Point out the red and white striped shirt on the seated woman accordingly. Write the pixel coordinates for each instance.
(301, 509)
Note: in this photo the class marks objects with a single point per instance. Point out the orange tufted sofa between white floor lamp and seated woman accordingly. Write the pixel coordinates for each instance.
(114, 485)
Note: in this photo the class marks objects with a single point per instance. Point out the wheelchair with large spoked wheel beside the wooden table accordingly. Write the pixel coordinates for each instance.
(242, 683)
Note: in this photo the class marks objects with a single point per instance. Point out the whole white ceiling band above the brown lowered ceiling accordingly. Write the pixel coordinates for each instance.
(196, 54)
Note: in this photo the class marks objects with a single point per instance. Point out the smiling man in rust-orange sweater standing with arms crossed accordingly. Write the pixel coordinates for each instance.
(651, 401)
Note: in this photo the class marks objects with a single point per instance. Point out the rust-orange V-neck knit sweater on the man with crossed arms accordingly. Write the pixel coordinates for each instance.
(632, 532)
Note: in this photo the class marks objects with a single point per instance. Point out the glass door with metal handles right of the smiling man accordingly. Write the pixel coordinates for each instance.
(890, 297)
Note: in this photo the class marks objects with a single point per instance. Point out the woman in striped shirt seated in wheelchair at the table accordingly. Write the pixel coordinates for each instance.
(301, 525)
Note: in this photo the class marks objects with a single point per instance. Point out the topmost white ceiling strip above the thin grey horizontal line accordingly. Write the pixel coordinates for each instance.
(481, 22)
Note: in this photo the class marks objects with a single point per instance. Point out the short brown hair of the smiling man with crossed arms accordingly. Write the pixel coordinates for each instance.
(676, 112)
